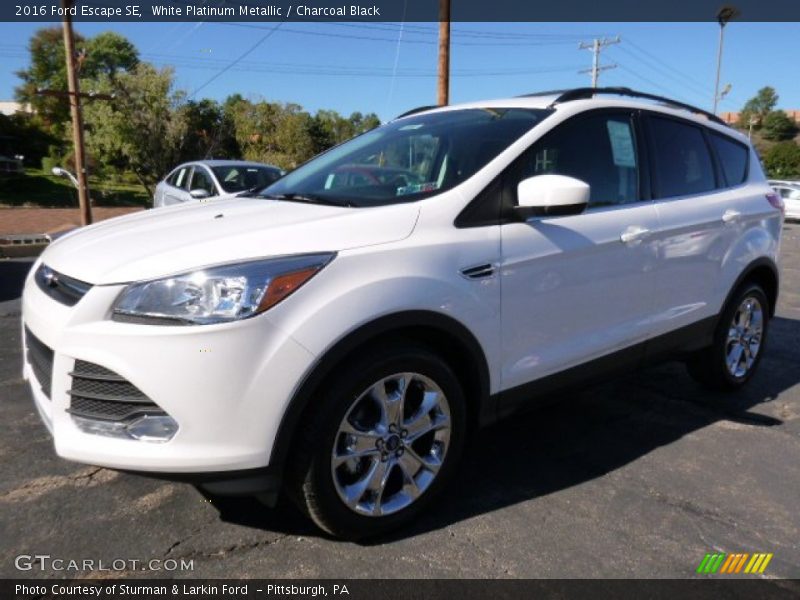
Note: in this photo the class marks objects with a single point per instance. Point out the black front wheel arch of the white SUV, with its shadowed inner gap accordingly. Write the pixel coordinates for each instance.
(443, 334)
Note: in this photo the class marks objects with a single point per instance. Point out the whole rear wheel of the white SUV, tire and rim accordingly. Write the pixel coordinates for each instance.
(734, 355)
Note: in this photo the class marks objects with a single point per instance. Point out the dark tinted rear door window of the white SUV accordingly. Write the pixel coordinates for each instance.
(683, 163)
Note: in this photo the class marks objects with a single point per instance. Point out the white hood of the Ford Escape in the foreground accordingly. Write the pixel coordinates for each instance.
(165, 241)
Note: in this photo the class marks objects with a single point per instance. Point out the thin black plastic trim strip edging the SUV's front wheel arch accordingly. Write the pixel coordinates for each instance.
(364, 334)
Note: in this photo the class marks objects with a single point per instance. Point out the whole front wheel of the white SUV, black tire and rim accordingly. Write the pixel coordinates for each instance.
(383, 439)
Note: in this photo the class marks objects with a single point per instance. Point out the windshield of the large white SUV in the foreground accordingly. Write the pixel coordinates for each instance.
(408, 159)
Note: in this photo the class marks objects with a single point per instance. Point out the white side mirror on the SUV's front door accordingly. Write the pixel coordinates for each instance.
(552, 196)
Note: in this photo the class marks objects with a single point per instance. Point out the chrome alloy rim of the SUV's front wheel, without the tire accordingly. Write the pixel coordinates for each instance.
(391, 444)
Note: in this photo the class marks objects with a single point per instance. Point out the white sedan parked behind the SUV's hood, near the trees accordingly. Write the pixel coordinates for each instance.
(207, 179)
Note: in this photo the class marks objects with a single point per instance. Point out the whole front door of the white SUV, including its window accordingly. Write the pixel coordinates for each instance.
(575, 288)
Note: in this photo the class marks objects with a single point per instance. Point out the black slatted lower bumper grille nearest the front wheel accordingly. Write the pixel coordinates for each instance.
(99, 393)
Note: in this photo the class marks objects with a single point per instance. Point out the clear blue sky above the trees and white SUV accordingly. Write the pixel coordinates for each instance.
(388, 68)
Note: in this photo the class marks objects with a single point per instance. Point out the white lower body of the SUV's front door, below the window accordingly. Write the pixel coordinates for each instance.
(573, 291)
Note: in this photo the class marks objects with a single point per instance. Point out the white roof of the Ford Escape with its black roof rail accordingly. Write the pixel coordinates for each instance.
(581, 99)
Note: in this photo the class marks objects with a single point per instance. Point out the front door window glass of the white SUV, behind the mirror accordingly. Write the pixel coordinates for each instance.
(599, 150)
